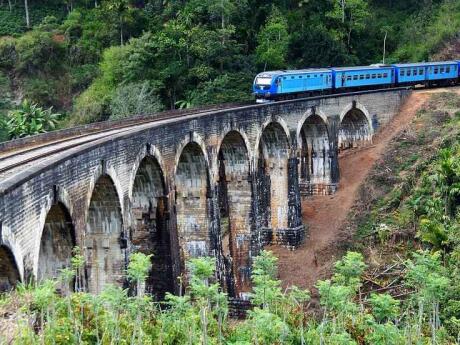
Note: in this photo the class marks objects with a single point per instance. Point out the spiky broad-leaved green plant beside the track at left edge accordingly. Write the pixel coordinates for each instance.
(30, 119)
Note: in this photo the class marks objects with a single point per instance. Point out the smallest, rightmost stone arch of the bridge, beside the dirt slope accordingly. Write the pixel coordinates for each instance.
(355, 127)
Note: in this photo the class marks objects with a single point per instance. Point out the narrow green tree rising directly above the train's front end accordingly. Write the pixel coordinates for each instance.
(273, 41)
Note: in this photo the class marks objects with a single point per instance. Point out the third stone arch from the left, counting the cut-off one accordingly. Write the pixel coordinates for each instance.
(105, 242)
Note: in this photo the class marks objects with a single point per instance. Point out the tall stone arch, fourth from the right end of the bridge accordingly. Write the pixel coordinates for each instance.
(235, 197)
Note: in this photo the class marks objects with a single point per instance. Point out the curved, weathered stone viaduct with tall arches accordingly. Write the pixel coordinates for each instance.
(222, 183)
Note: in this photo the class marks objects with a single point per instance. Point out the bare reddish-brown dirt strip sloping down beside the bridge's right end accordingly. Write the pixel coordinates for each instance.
(325, 215)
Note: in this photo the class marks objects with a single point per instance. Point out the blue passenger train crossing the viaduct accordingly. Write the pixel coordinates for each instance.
(287, 84)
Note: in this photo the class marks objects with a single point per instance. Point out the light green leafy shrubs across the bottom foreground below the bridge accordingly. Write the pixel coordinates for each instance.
(200, 315)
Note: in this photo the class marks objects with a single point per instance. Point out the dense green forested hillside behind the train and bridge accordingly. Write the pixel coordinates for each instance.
(81, 61)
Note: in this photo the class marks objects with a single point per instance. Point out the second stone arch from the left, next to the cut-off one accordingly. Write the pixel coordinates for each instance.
(56, 243)
